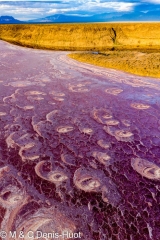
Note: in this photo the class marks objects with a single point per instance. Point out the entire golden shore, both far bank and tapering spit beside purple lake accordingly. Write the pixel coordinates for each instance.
(131, 47)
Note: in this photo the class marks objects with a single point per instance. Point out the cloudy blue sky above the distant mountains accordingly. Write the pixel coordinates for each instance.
(25, 10)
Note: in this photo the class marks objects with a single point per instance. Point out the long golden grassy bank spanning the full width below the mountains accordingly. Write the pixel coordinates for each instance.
(97, 36)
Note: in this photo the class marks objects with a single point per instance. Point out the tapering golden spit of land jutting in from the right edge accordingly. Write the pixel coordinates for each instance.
(143, 62)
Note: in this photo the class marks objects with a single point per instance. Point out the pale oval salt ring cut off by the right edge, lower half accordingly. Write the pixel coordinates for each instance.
(146, 168)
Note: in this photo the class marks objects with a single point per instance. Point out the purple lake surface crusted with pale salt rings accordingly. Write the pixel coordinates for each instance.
(79, 149)
